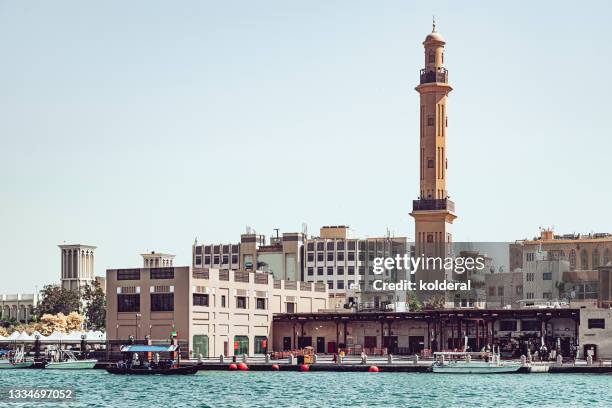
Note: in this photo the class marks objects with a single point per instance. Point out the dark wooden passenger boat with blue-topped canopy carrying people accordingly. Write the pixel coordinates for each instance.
(140, 359)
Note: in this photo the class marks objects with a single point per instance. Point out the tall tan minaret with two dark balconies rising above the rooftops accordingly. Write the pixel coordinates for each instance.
(433, 212)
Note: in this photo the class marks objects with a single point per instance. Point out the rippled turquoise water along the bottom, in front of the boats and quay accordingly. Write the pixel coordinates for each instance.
(96, 388)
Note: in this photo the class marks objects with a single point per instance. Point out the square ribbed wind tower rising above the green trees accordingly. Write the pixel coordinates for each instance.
(77, 265)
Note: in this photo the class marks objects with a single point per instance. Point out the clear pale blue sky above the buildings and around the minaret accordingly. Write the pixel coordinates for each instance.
(140, 125)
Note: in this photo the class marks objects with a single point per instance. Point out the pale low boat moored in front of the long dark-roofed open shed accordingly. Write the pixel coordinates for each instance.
(461, 362)
